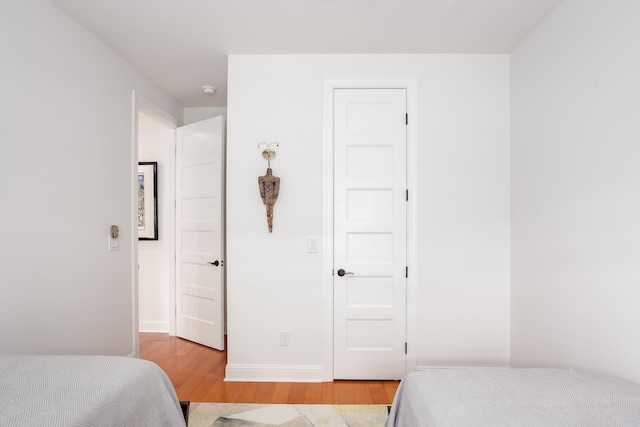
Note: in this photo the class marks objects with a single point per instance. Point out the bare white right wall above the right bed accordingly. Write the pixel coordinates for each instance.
(576, 180)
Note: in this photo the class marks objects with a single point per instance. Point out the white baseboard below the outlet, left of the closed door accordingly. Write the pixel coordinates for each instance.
(275, 373)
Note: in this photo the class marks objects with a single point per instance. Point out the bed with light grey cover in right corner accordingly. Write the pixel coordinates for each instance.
(495, 397)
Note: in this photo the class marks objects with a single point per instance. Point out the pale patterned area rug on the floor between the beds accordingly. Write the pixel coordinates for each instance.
(256, 415)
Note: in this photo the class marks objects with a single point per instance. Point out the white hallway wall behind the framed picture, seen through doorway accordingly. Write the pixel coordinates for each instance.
(156, 143)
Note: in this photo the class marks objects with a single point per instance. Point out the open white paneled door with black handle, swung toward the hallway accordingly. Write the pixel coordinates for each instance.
(199, 233)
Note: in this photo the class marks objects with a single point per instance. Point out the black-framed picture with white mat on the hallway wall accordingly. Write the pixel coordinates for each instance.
(148, 201)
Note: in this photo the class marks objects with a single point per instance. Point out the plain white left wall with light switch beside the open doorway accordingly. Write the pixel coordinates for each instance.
(66, 165)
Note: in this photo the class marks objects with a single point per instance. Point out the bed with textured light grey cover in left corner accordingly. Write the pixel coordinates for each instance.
(85, 391)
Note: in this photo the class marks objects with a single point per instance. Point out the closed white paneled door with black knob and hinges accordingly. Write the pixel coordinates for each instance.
(370, 137)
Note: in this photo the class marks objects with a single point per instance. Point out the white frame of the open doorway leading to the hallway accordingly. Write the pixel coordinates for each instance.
(144, 105)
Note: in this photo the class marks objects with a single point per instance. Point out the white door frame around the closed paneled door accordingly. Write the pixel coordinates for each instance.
(412, 215)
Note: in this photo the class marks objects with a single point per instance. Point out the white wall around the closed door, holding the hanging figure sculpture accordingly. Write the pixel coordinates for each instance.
(463, 270)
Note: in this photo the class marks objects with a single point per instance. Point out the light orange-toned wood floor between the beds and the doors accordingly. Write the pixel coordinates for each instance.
(197, 373)
